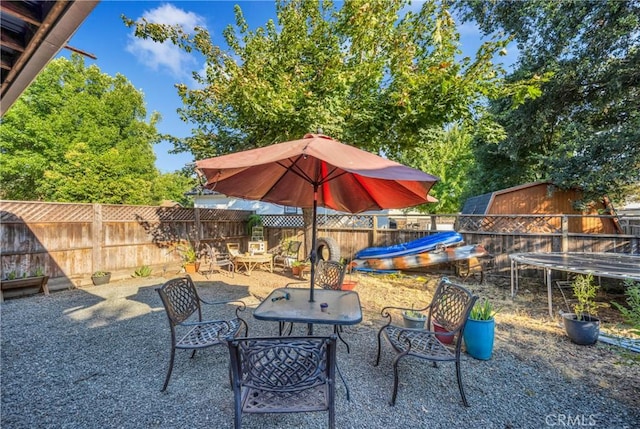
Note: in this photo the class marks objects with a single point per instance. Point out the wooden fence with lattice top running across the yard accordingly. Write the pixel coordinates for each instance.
(71, 241)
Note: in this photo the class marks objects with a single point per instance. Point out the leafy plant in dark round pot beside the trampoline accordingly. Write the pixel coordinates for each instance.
(582, 326)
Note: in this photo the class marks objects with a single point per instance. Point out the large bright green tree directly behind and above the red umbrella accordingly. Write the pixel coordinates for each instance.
(362, 74)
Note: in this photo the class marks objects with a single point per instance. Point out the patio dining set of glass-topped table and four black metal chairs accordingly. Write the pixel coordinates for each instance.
(287, 373)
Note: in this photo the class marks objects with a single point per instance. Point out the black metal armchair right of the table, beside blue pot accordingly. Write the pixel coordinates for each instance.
(450, 308)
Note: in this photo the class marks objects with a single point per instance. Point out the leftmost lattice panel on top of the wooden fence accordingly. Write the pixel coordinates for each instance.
(37, 212)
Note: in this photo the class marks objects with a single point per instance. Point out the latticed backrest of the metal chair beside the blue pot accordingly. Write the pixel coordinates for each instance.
(451, 305)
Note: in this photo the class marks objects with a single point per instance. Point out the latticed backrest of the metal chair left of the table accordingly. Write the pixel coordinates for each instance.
(180, 299)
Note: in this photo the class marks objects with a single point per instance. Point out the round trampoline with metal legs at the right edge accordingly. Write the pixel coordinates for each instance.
(613, 265)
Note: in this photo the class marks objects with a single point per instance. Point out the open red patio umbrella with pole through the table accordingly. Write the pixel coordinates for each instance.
(317, 171)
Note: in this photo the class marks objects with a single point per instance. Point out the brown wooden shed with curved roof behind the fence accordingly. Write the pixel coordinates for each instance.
(543, 198)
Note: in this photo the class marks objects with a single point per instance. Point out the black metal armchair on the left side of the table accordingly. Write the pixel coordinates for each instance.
(188, 331)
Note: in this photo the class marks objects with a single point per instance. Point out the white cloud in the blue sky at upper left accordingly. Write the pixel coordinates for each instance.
(159, 56)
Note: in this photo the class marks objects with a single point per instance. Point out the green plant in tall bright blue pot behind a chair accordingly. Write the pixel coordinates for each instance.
(479, 330)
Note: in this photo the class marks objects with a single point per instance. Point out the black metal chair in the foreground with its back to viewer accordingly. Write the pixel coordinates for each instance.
(283, 375)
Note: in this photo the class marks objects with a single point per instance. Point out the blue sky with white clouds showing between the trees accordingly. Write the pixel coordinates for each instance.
(154, 69)
